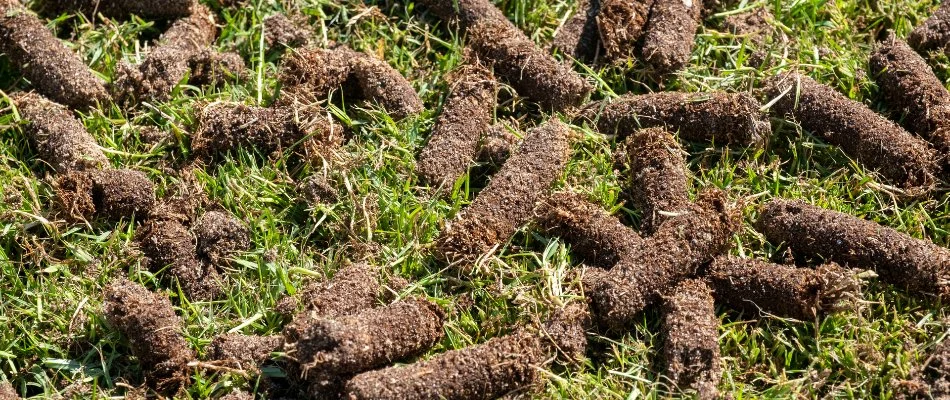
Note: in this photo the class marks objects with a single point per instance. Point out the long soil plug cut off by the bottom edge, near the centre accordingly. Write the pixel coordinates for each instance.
(485, 371)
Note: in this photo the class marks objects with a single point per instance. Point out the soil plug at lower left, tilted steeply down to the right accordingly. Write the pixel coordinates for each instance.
(153, 331)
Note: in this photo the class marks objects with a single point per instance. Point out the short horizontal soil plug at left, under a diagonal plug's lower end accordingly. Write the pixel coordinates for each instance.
(110, 194)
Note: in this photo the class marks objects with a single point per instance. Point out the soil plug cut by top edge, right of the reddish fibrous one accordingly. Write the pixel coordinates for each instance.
(670, 34)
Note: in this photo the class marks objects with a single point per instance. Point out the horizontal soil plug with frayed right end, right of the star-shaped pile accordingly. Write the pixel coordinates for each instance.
(785, 291)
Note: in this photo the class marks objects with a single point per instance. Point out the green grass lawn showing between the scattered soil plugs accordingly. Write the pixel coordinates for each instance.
(54, 341)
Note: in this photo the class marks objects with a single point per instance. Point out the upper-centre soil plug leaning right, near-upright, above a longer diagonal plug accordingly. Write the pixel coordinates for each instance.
(466, 114)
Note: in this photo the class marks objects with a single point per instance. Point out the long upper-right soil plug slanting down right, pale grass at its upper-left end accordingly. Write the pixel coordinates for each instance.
(861, 133)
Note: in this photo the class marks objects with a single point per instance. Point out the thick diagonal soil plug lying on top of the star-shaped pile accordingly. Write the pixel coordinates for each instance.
(680, 246)
